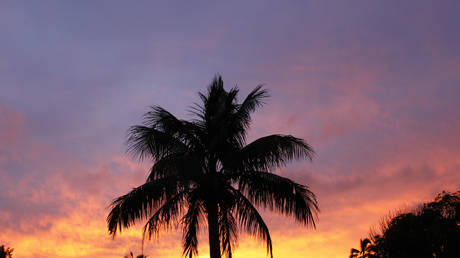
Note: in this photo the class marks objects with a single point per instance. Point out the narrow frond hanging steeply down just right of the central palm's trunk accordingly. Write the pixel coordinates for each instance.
(250, 219)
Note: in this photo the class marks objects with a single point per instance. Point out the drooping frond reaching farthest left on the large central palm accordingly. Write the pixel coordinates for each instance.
(140, 203)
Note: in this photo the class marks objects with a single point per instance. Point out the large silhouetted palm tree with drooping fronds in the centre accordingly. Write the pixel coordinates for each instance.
(203, 171)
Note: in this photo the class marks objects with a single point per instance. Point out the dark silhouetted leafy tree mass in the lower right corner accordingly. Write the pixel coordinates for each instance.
(431, 231)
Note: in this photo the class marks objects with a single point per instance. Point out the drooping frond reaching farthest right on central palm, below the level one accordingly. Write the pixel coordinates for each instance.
(279, 194)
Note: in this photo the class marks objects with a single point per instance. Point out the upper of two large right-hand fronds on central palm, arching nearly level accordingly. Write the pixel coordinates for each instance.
(272, 151)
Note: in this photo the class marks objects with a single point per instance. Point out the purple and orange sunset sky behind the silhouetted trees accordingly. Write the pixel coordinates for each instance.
(373, 86)
